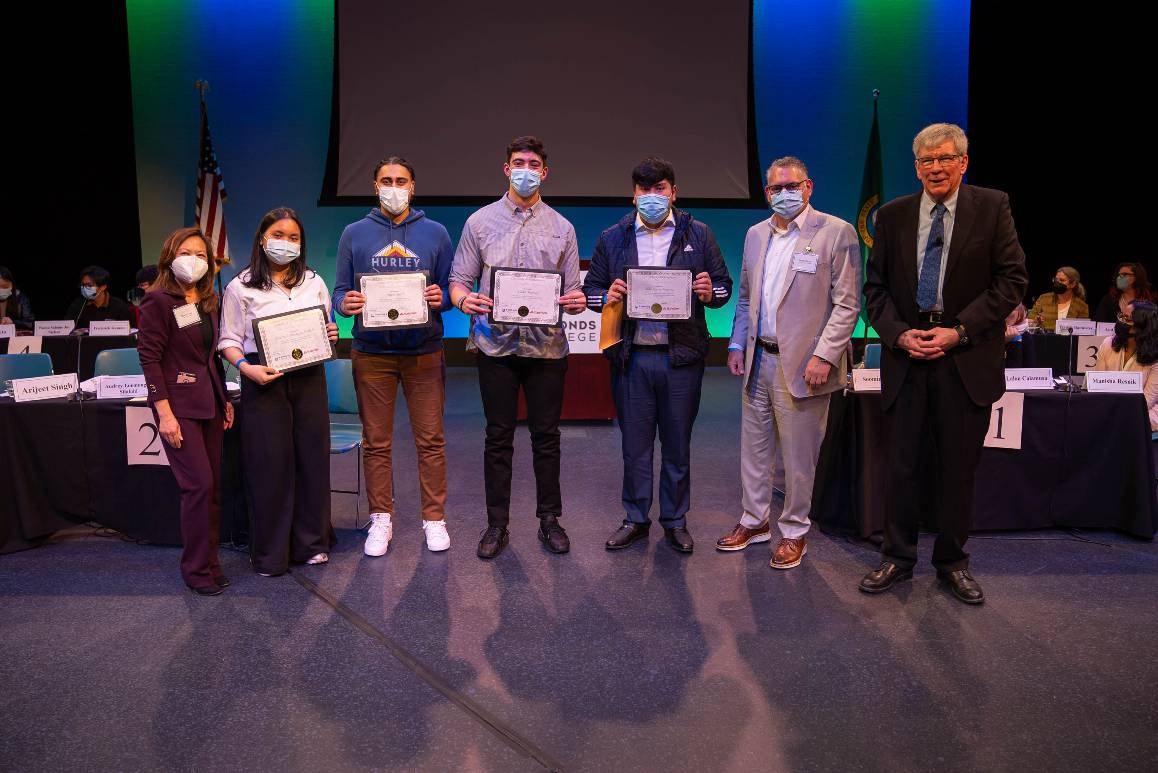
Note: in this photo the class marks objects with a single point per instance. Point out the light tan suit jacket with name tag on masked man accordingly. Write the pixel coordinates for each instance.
(817, 312)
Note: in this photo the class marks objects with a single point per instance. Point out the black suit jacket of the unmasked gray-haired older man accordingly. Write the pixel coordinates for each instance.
(985, 281)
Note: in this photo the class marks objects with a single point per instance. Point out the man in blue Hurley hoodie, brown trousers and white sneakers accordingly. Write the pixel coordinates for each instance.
(397, 239)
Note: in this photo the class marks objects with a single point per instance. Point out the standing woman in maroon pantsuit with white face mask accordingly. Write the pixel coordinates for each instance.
(178, 347)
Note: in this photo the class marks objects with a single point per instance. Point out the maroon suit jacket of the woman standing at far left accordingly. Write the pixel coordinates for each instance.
(167, 350)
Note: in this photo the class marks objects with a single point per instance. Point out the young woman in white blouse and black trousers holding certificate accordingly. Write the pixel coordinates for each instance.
(284, 418)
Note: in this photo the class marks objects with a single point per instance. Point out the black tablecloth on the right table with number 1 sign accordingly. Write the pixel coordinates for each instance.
(1086, 462)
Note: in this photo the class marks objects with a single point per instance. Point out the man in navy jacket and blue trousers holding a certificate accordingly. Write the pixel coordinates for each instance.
(658, 367)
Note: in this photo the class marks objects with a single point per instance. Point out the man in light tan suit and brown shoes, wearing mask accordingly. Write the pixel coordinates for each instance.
(800, 298)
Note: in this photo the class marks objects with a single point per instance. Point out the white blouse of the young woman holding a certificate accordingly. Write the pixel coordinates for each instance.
(241, 305)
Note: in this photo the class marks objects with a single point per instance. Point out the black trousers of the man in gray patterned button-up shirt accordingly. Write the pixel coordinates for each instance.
(541, 380)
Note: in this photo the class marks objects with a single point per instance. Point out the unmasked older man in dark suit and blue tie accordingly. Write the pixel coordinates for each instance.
(947, 269)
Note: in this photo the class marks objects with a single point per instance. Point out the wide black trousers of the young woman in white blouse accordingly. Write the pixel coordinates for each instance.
(285, 451)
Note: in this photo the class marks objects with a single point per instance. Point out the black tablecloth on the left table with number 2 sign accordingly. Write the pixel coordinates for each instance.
(67, 465)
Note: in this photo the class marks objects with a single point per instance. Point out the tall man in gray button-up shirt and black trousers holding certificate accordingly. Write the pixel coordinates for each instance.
(521, 232)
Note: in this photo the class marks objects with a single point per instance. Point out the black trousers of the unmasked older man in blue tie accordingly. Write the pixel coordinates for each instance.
(933, 413)
